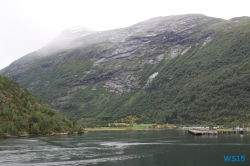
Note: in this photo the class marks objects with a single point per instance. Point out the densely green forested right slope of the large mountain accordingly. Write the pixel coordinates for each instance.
(208, 85)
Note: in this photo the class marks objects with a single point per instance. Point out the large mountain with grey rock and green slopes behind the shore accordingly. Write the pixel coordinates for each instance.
(175, 69)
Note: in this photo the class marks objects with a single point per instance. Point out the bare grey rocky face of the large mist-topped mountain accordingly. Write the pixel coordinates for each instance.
(82, 70)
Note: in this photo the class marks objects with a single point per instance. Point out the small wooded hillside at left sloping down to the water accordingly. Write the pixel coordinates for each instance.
(23, 113)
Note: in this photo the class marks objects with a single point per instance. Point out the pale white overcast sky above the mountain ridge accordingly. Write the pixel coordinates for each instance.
(27, 25)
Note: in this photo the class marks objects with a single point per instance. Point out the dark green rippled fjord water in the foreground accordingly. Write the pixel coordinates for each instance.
(126, 148)
